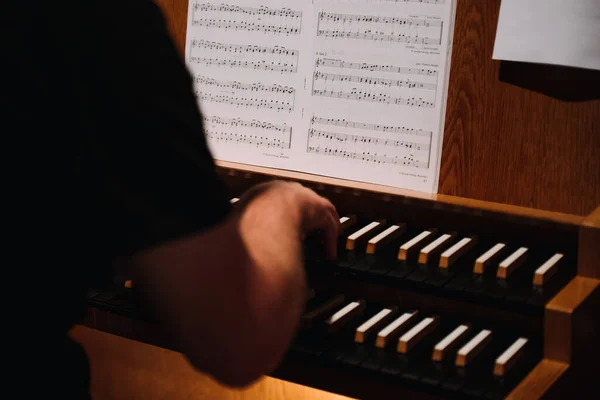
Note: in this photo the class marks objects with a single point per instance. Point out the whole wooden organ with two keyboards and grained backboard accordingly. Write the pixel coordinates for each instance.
(489, 289)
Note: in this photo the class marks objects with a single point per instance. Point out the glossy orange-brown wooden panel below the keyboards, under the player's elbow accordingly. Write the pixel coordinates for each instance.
(126, 369)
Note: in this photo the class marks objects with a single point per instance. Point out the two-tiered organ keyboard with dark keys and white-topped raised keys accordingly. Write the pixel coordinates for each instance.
(443, 297)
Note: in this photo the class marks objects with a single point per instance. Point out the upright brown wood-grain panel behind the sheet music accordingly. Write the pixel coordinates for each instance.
(503, 143)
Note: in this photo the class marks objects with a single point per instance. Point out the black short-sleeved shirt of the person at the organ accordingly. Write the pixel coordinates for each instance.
(108, 157)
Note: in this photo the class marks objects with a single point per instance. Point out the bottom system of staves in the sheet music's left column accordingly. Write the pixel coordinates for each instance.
(253, 132)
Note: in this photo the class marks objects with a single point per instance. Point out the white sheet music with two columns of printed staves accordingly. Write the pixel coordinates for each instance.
(353, 89)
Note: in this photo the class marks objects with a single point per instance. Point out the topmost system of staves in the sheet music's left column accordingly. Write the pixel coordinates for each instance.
(250, 19)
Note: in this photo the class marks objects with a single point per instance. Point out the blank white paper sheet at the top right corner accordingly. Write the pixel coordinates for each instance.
(558, 32)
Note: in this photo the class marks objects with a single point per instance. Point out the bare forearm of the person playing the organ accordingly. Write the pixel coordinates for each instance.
(232, 295)
